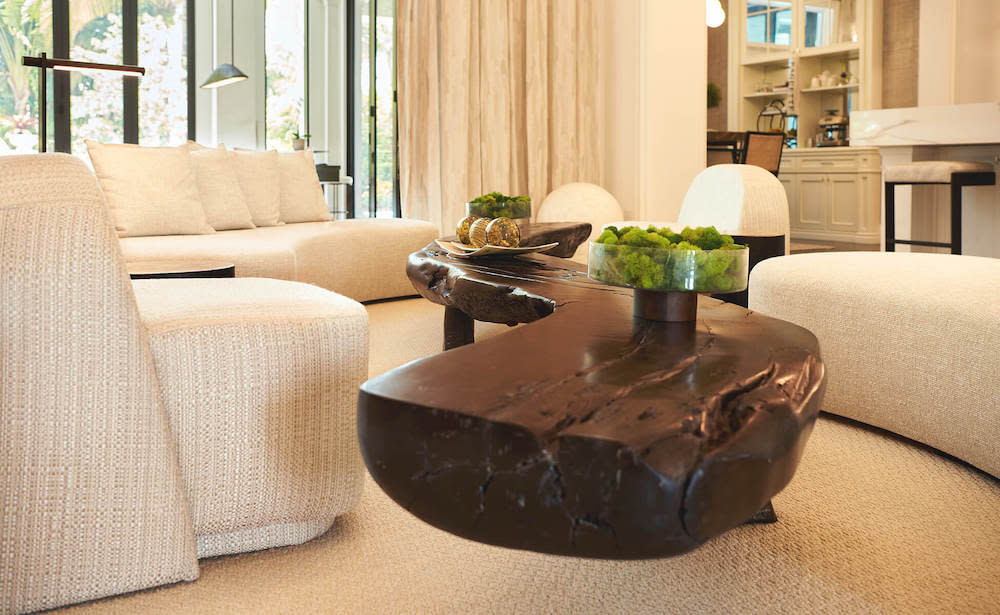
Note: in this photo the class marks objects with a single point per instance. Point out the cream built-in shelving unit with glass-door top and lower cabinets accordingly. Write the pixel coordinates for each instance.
(833, 192)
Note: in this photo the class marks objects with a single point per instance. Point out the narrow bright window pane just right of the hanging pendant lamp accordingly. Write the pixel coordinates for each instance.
(285, 73)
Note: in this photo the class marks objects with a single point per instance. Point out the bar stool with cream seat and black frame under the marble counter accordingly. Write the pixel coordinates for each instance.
(954, 173)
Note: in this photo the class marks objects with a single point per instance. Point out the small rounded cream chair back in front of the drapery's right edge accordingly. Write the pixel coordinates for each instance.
(580, 202)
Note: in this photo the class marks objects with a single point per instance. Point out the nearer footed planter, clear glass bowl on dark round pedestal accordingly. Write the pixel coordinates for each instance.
(667, 281)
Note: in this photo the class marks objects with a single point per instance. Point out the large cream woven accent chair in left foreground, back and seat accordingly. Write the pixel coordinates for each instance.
(142, 430)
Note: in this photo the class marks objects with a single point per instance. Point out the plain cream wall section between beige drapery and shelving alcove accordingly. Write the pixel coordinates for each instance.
(654, 67)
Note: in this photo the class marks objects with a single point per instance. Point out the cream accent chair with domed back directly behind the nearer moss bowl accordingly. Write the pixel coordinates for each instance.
(734, 198)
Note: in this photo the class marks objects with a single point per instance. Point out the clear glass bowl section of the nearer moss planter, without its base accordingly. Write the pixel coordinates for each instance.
(699, 271)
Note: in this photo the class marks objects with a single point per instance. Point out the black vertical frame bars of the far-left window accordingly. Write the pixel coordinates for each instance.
(62, 113)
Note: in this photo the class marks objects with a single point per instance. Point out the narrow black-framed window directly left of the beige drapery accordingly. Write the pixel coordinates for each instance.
(372, 125)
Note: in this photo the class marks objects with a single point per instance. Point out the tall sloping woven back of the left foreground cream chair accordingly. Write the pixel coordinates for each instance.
(91, 501)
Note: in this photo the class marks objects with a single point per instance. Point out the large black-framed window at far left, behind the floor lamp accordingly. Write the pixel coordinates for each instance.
(97, 105)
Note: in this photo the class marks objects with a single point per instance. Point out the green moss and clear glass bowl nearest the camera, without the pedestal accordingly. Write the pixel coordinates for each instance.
(696, 259)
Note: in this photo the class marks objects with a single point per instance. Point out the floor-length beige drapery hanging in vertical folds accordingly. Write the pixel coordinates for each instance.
(495, 95)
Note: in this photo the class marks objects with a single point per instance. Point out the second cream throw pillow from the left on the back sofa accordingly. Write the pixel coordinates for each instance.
(221, 195)
